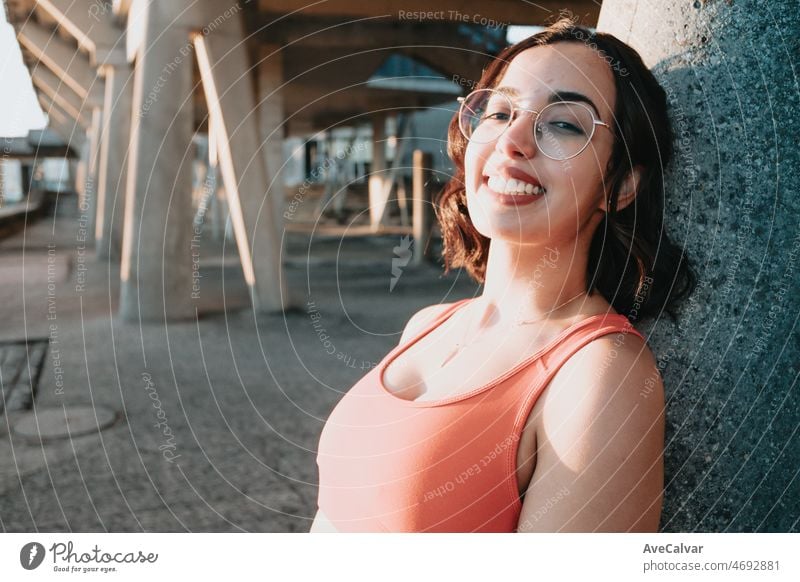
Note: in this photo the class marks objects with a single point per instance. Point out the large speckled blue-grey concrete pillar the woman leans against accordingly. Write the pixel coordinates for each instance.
(730, 367)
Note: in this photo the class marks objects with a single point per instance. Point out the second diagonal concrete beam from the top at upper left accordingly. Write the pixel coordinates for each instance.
(63, 59)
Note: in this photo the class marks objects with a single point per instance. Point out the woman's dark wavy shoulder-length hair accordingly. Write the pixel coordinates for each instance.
(632, 261)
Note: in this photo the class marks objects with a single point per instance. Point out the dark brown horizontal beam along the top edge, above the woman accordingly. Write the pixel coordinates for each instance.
(461, 11)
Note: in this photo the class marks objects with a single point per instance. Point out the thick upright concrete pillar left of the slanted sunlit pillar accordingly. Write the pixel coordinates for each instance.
(156, 265)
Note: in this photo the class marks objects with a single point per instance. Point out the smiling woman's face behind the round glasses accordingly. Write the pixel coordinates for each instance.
(573, 199)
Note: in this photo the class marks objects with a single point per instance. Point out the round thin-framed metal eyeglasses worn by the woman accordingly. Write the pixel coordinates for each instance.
(561, 130)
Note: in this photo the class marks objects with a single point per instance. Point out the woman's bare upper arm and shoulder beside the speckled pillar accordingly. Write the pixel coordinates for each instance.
(600, 442)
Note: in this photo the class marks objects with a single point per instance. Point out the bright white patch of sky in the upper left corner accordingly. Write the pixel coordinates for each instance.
(19, 108)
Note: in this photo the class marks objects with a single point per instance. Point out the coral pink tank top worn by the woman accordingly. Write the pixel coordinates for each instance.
(391, 464)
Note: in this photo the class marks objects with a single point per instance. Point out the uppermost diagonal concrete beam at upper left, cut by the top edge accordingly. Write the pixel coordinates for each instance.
(91, 25)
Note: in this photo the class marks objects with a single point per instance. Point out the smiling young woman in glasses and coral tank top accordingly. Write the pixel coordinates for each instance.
(535, 406)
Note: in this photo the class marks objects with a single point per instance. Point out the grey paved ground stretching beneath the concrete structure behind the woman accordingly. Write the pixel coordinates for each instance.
(216, 419)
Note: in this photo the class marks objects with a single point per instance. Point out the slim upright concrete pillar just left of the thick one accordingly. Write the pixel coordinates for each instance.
(113, 157)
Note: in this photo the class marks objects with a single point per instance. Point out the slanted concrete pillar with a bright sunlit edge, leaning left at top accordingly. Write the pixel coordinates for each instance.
(228, 86)
